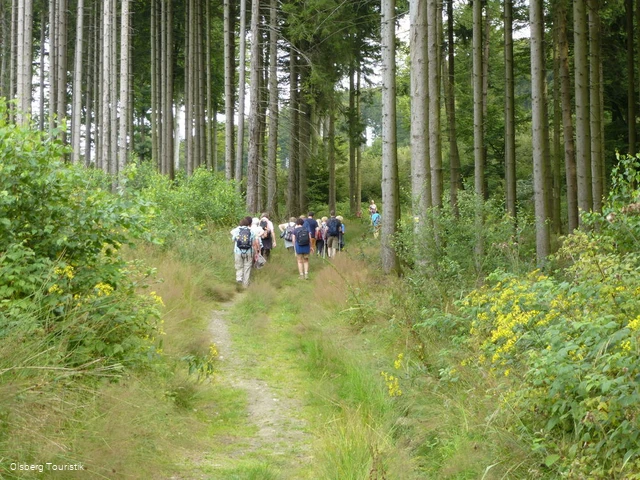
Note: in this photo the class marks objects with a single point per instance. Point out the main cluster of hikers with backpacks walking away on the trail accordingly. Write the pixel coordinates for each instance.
(254, 238)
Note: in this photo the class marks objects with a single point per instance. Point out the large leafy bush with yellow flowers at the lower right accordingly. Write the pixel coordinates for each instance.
(573, 346)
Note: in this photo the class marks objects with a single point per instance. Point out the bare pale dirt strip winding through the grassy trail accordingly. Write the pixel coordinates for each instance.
(280, 432)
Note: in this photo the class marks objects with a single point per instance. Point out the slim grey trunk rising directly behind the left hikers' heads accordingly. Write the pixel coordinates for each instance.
(272, 168)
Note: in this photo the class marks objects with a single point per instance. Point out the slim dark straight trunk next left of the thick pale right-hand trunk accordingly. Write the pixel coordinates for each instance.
(509, 112)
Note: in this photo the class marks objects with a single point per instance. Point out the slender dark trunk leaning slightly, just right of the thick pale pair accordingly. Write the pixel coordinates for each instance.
(454, 156)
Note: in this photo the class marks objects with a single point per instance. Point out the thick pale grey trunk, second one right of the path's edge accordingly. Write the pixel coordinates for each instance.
(420, 171)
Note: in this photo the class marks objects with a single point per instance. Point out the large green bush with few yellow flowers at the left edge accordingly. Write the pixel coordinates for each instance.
(60, 264)
